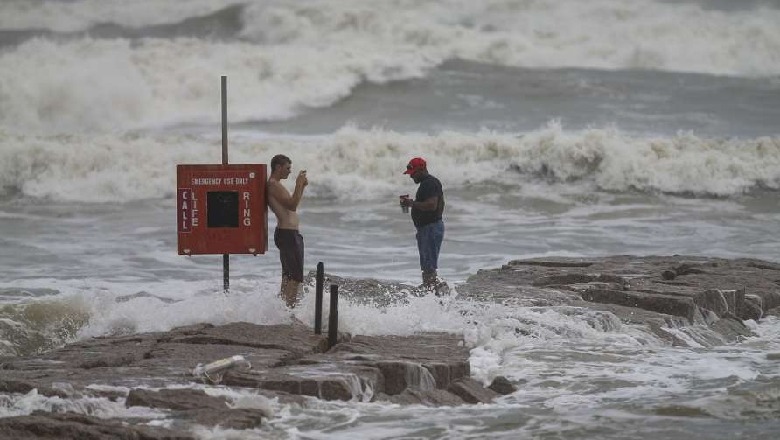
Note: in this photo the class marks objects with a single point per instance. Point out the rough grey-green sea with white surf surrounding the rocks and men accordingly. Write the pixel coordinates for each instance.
(557, 128)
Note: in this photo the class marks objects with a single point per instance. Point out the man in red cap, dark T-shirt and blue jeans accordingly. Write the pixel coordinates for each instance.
(427, 208)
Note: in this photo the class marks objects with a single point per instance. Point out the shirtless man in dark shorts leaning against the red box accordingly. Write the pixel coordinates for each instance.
(286, 236)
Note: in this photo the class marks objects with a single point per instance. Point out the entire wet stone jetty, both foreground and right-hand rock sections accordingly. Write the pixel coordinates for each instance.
(708, 298)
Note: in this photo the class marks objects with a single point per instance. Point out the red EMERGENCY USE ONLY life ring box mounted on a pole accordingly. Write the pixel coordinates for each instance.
(222, 209)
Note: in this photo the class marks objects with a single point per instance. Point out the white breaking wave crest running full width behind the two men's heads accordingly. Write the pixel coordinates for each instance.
(358, 164)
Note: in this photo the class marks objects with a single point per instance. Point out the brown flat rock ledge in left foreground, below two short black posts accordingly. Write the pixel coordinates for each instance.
(287, 361)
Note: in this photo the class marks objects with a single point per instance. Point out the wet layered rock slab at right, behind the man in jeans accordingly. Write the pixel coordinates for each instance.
(653, 291)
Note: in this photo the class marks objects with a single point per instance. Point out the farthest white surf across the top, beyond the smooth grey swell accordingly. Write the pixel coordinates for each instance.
(296, 55)
